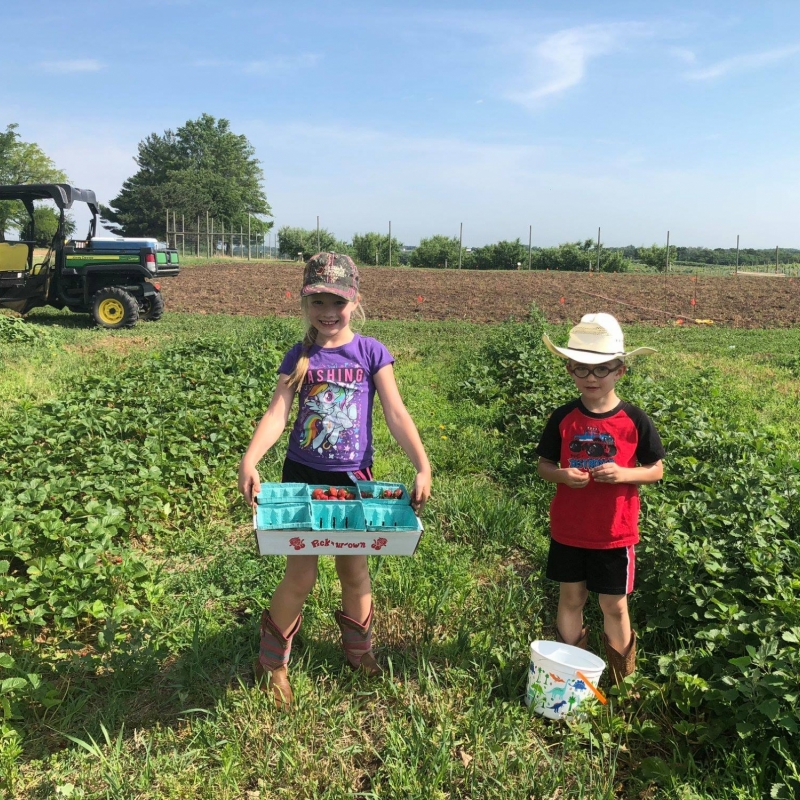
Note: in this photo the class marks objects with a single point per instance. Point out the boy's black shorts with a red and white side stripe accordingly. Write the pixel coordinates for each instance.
(605, 571)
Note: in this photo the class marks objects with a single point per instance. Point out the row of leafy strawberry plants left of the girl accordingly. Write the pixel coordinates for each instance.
(121, 457)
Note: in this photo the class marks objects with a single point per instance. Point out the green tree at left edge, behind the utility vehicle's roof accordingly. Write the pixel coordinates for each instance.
(22, 162)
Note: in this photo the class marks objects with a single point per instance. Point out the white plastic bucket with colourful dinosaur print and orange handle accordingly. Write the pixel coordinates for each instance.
(555, 690)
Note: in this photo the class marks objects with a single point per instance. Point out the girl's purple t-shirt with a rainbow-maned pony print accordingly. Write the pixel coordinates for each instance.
(333, 429)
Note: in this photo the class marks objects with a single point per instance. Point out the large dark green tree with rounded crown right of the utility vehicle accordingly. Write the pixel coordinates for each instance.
(203, 167)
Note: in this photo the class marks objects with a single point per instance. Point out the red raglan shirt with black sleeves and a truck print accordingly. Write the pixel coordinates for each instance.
(601, 515)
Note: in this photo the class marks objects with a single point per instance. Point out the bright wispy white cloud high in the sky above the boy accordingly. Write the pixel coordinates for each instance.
(559, 62)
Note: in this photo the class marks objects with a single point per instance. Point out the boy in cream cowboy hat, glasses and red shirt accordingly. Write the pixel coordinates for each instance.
(598, 449)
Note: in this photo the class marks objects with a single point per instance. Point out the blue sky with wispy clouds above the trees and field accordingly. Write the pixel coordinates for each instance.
(635, 117)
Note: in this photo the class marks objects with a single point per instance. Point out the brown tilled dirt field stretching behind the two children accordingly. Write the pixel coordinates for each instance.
(266, 288)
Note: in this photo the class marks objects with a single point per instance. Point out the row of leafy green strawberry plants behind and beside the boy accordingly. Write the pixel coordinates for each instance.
(717, 593)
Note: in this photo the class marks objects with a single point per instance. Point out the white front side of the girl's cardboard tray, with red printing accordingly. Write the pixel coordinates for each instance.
(337, 543)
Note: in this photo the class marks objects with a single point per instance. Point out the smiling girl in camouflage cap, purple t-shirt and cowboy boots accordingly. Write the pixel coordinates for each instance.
(335, 372)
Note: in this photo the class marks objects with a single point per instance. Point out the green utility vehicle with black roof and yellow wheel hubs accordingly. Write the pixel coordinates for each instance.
(113, 279)
